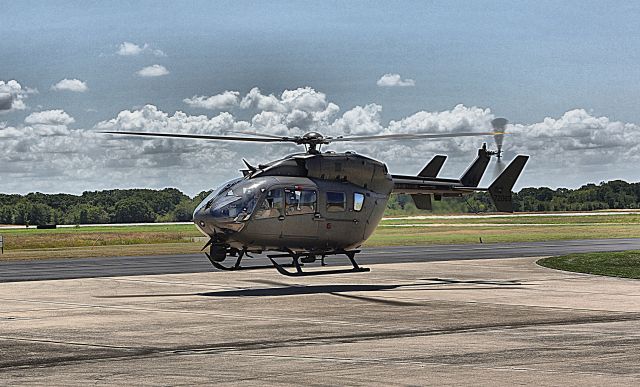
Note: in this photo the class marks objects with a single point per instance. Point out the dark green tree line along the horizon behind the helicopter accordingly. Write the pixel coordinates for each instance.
(171, 205)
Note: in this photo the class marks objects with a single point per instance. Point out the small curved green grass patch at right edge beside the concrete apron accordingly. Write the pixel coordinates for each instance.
(624, 264)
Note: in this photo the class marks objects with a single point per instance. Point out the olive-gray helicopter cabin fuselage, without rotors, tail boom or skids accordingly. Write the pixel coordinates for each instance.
(304, 202)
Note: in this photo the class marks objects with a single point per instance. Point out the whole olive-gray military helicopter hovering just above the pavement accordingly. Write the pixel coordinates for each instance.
(314, 204)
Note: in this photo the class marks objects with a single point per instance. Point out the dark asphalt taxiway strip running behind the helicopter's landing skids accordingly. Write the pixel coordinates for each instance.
(197, 263)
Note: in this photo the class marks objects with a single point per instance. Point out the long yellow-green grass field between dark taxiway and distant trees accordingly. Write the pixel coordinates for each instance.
(174, 239)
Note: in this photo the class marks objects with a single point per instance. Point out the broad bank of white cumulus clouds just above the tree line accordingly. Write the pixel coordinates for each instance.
(574, 148)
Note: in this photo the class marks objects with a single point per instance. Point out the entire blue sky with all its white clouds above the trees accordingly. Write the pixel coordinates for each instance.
(565, 74)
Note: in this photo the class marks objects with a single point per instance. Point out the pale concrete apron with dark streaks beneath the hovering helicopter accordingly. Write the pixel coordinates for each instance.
(482, 321)
